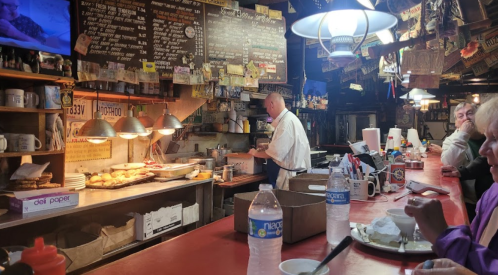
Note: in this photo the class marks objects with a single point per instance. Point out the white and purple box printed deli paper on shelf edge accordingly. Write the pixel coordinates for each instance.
(44, 202)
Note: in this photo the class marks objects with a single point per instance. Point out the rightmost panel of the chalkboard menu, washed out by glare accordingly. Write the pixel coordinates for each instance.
(240, 36)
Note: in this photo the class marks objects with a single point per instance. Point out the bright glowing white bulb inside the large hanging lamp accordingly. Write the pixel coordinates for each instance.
(343, 23)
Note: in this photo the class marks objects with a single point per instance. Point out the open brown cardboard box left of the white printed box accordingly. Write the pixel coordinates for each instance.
(119, 232)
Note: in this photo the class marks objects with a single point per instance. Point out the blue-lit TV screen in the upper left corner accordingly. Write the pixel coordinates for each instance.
(43, 25)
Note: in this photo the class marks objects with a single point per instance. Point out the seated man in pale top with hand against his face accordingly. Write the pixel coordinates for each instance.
(461, 148)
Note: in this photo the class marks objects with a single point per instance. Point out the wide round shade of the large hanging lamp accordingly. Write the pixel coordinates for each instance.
(308, 26)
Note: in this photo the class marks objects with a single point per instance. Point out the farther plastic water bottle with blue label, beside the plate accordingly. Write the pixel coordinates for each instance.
(337, 207)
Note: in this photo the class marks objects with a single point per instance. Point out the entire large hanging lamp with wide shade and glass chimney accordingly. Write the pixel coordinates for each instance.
(340, 22)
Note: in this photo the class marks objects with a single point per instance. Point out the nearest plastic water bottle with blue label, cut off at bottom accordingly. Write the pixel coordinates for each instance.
(265, 233)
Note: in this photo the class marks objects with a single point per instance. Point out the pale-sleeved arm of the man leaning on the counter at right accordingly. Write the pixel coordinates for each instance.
(454, 149)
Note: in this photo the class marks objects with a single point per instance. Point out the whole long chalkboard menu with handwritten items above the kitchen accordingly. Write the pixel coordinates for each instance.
(182, 33)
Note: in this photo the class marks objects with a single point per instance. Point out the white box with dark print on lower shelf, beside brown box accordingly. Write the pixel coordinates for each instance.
(150, 223)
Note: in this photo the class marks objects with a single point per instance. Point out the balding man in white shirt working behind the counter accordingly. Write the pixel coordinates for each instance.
(289, 149)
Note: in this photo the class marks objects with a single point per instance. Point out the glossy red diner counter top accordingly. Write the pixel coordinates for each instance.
(218, 249)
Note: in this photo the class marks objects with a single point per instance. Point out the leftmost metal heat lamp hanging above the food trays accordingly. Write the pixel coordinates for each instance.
(97, 130)
